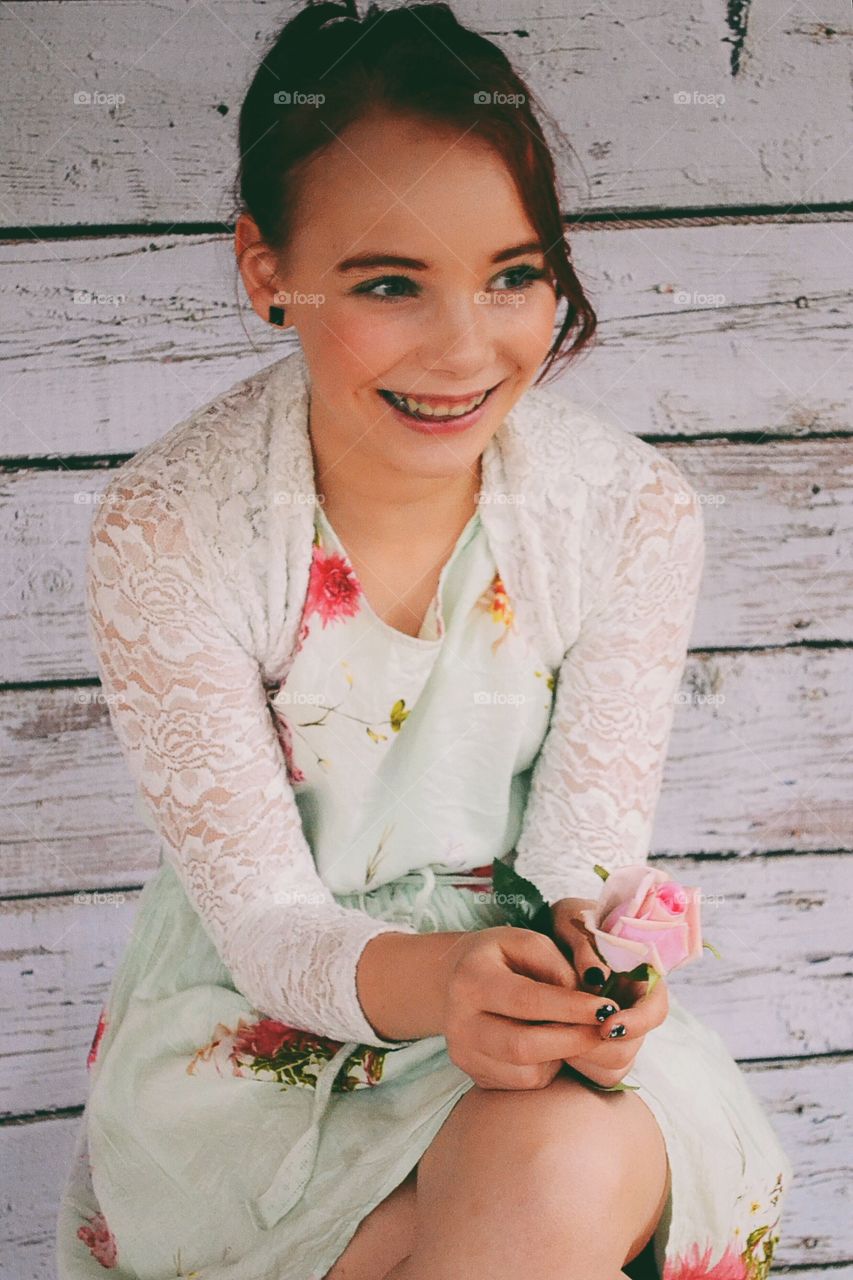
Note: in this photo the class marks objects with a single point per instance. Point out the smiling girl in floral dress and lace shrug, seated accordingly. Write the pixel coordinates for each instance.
(370, 620)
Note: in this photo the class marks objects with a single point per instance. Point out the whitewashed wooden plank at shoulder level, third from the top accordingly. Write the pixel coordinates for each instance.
(779, 552)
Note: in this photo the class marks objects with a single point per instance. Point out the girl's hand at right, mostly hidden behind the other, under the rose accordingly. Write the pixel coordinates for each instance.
(613, 1059)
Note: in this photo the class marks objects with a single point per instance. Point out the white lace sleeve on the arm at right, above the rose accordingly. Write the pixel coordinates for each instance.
(596, 783)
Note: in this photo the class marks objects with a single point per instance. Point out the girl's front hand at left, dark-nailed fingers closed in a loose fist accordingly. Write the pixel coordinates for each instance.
(514, 1012)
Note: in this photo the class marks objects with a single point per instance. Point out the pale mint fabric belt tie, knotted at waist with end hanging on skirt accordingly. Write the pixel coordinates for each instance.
(293, 1176)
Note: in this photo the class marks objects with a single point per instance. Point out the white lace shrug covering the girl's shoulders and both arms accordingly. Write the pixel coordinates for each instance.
(198, 568)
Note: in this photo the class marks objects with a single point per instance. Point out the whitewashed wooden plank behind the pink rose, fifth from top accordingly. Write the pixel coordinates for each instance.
(779, 925)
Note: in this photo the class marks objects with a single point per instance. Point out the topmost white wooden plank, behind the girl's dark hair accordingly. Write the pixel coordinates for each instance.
(737, 107)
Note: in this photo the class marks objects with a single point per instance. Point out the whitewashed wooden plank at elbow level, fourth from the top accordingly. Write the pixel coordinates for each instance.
(745, 774)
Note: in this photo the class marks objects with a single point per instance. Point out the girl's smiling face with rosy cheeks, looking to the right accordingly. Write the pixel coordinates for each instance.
(464, 308)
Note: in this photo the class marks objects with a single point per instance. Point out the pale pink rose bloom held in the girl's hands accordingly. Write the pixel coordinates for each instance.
(644, 917)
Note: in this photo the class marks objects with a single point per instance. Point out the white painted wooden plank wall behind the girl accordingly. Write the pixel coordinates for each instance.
(724, 341)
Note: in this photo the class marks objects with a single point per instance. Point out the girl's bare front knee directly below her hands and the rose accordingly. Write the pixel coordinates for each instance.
(563, 1183)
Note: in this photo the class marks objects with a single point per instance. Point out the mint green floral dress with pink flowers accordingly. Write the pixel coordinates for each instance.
(222, 1145)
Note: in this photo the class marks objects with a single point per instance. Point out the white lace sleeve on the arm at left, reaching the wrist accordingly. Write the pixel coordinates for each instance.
(188, 705)
